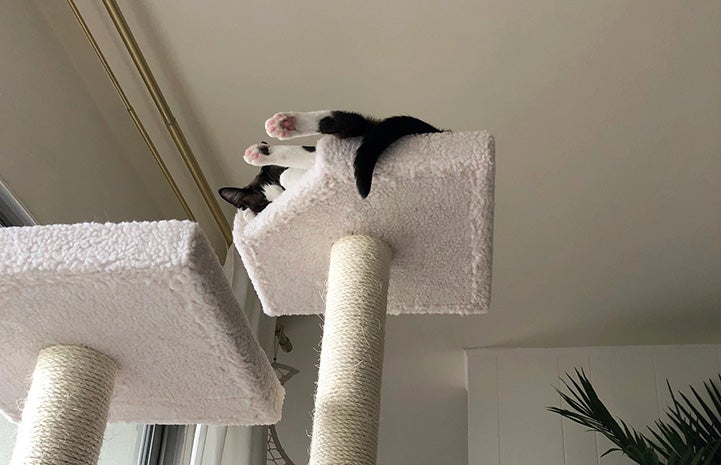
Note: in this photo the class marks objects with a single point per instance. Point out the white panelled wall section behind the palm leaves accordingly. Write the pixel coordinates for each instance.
(509, 390)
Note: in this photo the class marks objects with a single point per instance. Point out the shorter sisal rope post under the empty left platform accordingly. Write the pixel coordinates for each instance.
(66, 409)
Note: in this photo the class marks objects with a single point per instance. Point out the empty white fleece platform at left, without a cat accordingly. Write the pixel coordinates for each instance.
(153, 297)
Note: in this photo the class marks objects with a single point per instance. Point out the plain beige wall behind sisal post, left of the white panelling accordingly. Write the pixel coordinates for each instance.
(423, 408)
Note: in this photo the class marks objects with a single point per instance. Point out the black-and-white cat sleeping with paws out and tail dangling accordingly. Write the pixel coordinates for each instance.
(283, 165)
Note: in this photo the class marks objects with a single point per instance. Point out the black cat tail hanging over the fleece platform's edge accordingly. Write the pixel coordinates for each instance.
(380, 138)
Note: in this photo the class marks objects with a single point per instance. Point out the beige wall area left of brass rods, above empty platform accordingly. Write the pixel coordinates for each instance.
(58, 153)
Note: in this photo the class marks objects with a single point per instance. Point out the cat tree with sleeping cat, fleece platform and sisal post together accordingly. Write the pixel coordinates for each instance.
(420, 243)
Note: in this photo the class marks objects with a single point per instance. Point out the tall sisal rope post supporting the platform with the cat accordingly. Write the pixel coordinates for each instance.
(347, 402)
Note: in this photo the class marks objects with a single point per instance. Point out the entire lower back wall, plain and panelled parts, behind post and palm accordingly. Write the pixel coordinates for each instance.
(429, 416)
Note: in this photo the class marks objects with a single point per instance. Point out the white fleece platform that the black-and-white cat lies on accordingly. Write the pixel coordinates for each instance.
(431, 201)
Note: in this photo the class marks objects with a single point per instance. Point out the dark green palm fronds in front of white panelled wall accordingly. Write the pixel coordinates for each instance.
(691, 436)
